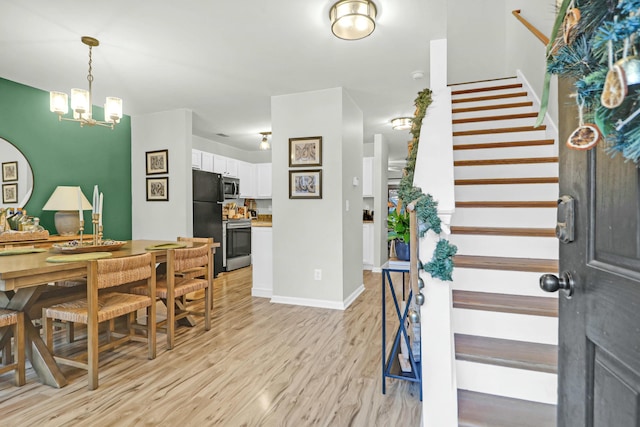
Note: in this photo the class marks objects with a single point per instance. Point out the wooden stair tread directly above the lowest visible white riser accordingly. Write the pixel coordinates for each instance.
(508, 353)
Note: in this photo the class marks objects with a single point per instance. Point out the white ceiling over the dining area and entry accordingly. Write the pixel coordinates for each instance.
(223, 59)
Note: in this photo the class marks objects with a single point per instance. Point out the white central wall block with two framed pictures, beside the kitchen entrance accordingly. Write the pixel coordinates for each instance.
(309, 234)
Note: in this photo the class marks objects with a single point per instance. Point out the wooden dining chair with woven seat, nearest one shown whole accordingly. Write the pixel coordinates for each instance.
(103, 304)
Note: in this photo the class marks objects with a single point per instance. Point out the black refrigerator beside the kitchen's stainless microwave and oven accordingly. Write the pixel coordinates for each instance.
(208, 196)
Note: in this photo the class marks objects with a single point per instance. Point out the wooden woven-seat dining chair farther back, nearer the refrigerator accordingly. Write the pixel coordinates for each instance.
(188, 270)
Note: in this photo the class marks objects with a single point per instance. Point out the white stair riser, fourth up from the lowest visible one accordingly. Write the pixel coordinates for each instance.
(506, 246)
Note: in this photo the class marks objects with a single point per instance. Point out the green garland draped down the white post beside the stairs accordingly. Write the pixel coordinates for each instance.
(441, 264)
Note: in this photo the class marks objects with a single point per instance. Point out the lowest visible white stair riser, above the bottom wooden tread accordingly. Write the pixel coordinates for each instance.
(510, 382)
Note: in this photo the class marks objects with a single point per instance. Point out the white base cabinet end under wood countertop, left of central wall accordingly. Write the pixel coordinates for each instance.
(262, 261)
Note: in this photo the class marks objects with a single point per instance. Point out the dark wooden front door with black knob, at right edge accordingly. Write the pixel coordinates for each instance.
(599, 337)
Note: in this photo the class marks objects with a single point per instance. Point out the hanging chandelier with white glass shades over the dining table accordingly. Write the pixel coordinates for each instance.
(81, 101)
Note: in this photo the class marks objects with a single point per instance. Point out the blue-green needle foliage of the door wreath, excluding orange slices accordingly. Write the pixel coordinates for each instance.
(586, 58)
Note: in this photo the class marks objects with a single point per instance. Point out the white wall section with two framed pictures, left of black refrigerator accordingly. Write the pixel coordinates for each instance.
(162, 220)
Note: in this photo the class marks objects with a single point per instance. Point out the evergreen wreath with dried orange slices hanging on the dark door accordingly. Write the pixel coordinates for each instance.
(597, 43)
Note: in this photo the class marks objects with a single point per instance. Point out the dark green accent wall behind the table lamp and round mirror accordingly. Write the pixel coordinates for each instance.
(63, 153)
